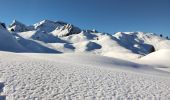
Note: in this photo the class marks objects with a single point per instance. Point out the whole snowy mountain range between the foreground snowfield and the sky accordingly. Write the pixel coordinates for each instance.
(60, 37)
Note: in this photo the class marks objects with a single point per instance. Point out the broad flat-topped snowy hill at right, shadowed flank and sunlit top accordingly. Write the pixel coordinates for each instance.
(142, 41)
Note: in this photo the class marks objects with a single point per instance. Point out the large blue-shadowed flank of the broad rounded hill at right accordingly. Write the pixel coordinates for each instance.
(135, 44)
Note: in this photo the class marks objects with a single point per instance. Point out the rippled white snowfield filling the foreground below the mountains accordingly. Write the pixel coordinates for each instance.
(78, 76)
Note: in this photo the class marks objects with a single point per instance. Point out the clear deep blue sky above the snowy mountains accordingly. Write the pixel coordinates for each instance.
(104, 15)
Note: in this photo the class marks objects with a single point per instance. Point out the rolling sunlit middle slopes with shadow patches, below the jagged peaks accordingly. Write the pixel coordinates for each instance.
(96, 43)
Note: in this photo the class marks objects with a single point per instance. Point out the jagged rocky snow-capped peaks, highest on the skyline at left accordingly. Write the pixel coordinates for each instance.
(44, 26)
